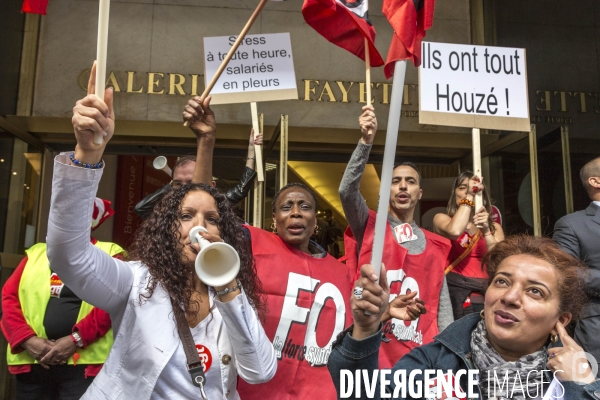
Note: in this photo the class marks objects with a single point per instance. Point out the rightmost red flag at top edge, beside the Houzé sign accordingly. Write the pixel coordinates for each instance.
(410, 19)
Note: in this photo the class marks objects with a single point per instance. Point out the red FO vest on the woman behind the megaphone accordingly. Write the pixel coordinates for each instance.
(308, 301)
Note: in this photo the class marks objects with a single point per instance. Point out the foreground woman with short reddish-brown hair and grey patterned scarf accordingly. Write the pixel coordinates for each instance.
(534, 292)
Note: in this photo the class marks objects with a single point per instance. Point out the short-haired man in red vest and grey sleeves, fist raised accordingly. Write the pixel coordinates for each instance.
(415, 258)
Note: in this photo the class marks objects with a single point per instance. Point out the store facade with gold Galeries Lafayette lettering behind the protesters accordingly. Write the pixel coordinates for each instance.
(155, 64)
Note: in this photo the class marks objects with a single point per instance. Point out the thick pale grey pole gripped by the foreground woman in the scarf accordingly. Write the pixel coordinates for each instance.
(389, 154)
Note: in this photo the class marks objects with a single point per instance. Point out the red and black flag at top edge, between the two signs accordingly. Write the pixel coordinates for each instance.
(344, 23)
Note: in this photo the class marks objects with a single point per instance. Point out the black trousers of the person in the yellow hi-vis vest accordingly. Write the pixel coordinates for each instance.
(60, 382)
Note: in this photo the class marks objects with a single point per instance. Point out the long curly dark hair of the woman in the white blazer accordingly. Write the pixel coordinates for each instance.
(157, 245)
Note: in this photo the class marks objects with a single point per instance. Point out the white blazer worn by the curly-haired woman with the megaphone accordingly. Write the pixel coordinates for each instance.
(145, 333)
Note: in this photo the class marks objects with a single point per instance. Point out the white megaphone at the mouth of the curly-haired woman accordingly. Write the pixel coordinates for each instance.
(218, 263)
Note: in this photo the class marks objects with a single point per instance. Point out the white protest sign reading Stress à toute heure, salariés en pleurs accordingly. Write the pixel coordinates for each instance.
(261, 69)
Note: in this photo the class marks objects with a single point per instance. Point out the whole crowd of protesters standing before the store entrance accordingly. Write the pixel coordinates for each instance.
(461, 297)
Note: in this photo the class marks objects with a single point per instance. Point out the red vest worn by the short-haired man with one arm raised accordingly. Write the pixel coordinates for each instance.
(405, 273)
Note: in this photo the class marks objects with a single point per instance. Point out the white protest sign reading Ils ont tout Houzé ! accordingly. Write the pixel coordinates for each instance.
(473, 86)
